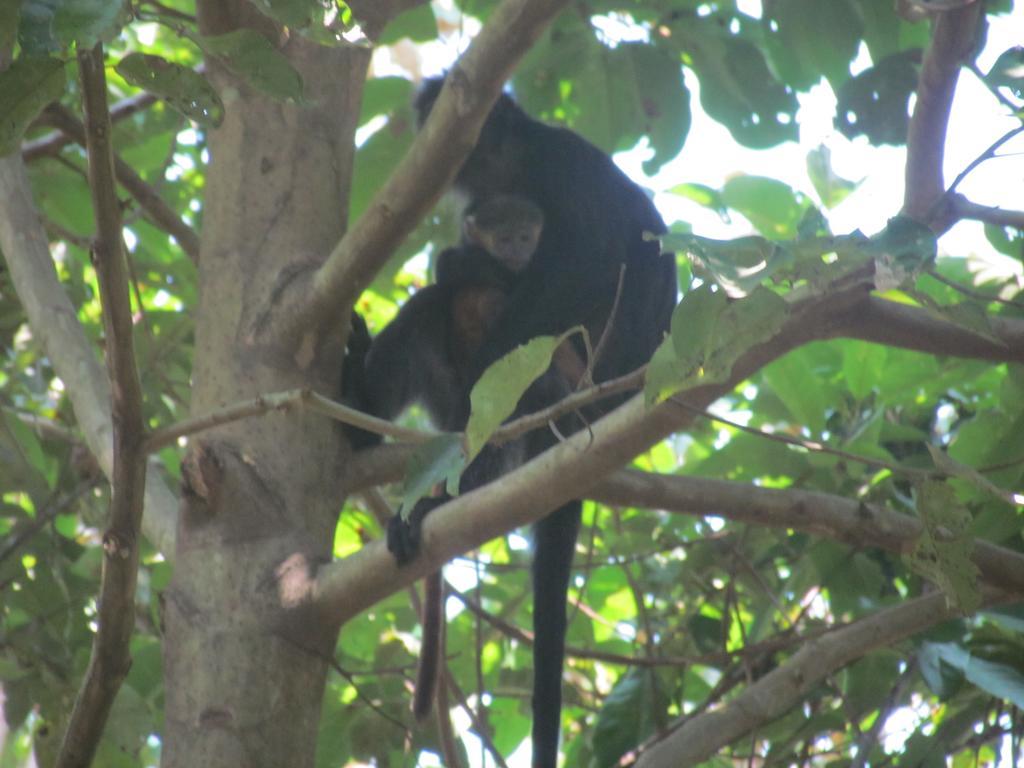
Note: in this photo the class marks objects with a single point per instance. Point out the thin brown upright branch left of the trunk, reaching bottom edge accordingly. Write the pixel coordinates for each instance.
(116, 616)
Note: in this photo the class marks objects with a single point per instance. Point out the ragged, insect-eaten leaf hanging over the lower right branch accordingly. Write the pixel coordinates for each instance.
(943, 553)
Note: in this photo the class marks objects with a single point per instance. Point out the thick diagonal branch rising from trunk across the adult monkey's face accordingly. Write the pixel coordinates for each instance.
(438, 153)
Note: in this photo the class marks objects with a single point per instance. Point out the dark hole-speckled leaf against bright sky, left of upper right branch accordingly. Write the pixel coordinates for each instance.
(876, 103)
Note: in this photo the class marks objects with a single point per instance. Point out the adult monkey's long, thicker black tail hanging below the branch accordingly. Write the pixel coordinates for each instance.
(554, 544)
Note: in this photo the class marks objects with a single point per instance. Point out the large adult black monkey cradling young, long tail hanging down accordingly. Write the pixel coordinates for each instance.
(594, 224)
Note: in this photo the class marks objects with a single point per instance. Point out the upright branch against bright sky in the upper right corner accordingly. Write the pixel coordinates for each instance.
(953, 41)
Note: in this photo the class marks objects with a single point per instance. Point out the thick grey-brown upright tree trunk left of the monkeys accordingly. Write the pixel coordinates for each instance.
(245, 676)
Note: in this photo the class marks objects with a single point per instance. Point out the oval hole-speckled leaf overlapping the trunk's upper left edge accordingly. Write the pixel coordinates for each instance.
(186, 91)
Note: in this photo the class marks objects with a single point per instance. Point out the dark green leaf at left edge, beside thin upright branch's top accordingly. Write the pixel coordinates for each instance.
(26, 88)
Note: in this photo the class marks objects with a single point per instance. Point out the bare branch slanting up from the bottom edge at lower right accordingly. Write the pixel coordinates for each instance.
(785, 688)
